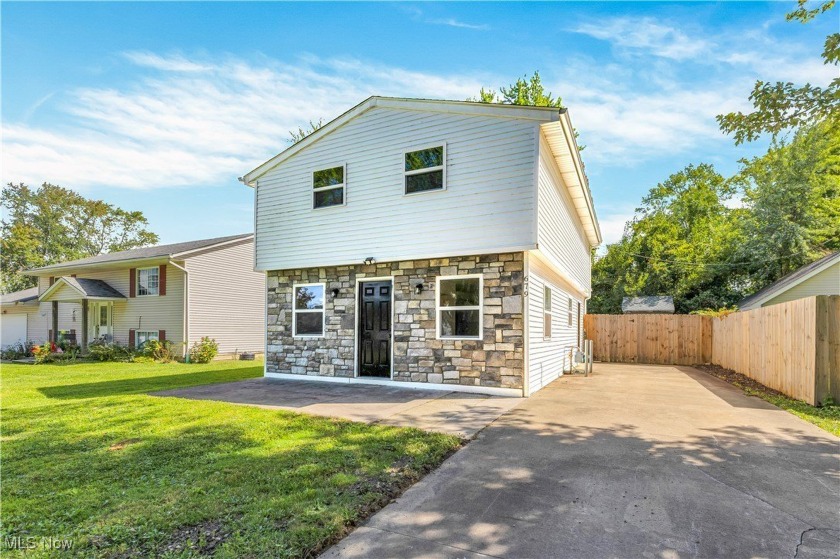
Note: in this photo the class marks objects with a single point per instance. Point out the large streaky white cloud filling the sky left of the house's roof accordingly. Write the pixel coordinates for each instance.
(189, 122)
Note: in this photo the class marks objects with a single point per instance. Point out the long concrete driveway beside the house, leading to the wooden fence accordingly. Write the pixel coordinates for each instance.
(634, 461)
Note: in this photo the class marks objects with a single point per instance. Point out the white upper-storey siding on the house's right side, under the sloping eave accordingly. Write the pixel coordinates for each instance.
(559, 230)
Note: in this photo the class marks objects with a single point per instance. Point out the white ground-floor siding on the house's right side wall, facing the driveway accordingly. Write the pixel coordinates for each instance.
(549, 358)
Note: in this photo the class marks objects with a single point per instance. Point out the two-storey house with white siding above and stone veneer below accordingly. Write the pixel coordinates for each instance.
(435, 244)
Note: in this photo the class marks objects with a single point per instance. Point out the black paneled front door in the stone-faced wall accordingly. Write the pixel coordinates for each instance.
(375, 329)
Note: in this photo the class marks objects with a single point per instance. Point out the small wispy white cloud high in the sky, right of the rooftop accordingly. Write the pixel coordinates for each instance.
(645, 35)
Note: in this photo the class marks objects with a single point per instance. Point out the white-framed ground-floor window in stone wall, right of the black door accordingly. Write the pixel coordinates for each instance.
(459, 307)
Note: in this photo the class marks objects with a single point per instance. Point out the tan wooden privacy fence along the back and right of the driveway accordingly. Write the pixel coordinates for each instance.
(791, 347)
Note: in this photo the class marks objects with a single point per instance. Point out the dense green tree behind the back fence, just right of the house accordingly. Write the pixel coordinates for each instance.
(679, 243)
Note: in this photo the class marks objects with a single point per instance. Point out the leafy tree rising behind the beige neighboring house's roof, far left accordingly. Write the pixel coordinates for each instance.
(51, 224)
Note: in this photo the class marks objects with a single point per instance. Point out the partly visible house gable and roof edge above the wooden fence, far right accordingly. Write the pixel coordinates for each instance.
(817, 278)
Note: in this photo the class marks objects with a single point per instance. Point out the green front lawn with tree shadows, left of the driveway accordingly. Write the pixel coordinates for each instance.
(88, 456)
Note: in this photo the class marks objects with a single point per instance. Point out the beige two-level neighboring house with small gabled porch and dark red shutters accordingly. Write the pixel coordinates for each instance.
(176, 292)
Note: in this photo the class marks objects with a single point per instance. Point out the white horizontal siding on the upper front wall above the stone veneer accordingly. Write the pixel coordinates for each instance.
(488, 204)
